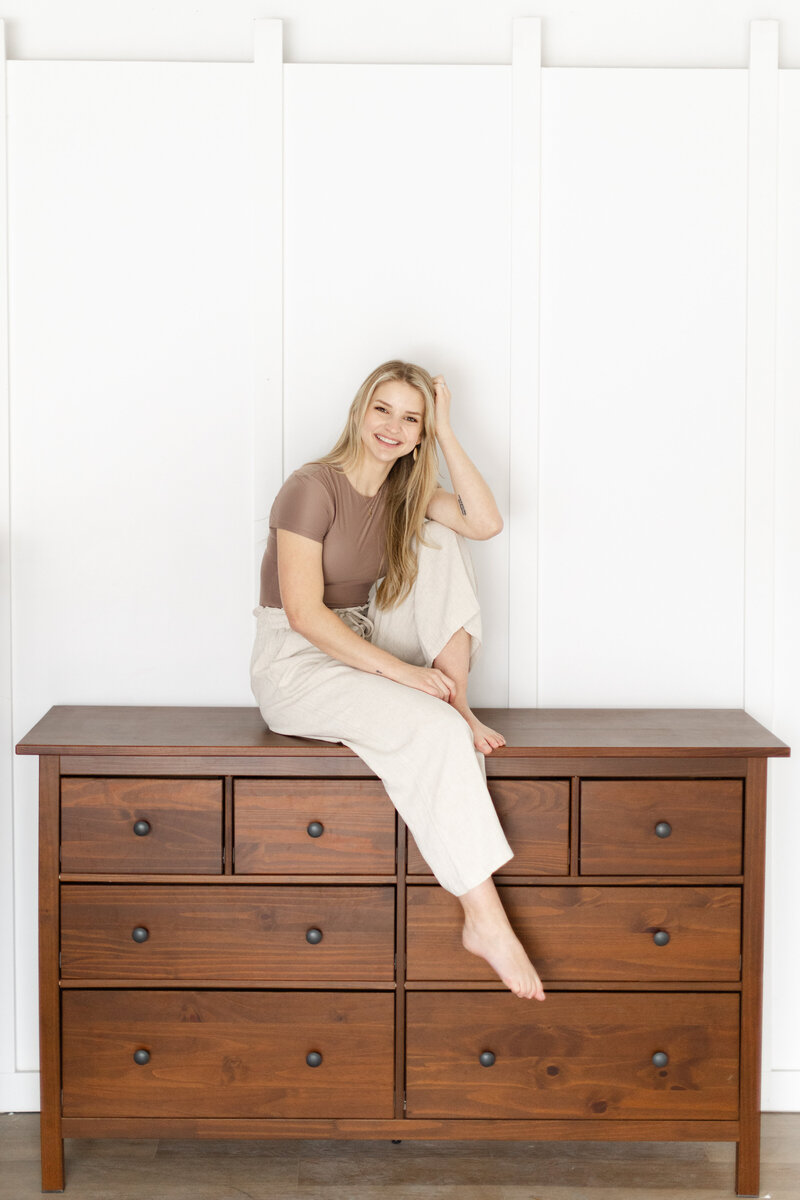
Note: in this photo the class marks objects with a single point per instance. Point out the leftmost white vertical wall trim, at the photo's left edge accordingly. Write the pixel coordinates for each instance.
(8, 941)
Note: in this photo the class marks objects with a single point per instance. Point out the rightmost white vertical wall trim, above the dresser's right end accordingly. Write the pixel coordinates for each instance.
(759, 686)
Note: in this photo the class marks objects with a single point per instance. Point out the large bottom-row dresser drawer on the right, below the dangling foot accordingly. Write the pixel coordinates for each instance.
(574, 1055)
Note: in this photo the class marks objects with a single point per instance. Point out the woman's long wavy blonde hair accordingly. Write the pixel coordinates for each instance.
(408, 487)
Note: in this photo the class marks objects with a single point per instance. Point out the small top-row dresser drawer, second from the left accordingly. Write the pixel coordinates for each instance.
(306, 826)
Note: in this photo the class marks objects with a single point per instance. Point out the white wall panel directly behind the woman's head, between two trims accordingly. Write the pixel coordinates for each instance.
(396, 245)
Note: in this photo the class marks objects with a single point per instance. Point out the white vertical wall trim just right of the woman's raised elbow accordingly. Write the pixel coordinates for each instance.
(524, 404)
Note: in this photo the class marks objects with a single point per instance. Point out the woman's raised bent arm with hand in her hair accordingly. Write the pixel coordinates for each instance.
(472, 511)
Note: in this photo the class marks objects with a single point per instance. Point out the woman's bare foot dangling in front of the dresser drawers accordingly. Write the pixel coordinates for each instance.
(489, 935)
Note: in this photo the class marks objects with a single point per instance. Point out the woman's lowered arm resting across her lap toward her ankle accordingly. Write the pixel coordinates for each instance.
(300, 575)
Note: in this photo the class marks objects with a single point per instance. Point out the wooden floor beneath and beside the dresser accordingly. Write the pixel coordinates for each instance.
(377, 1171)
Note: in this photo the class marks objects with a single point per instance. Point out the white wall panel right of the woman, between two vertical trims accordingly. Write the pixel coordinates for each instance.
(642, 417)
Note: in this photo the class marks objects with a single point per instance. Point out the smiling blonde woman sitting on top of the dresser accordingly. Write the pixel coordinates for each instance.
(369, 625)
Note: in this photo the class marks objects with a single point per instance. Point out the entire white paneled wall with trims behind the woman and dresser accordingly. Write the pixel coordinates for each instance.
(206, 261)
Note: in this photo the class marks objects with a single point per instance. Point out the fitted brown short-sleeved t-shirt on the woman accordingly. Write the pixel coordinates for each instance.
(320, 502)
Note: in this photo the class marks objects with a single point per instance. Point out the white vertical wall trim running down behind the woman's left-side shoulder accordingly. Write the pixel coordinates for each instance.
(268, 275)
